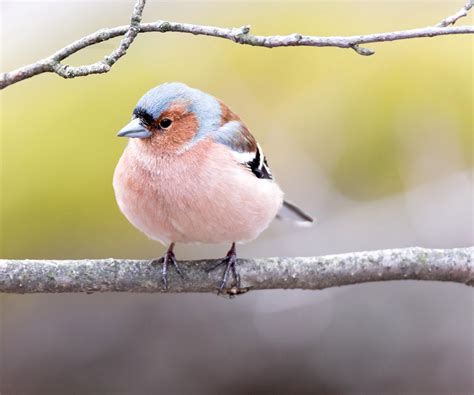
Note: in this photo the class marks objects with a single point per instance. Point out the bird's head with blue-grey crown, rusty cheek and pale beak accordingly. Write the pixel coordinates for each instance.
(172, 117)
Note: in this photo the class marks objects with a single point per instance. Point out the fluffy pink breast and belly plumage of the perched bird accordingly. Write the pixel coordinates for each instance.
(203, 195)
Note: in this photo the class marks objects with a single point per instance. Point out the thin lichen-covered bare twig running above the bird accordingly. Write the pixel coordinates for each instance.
(52, 64)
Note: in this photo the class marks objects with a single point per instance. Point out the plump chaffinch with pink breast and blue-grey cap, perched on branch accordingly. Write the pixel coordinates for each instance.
(192, 172)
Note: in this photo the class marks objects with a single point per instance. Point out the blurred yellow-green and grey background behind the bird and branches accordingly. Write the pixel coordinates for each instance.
(379, 148)
